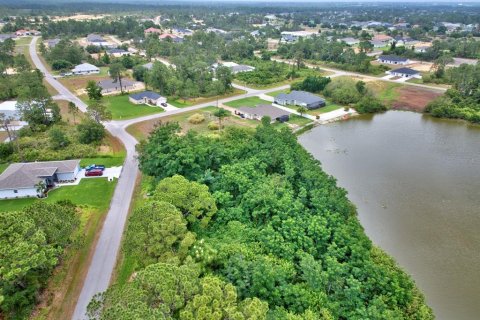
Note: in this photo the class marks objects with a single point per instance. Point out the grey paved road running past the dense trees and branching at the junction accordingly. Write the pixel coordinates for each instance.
(105, 255)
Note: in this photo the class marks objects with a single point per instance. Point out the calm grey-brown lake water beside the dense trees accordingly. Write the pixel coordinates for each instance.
(416, 183)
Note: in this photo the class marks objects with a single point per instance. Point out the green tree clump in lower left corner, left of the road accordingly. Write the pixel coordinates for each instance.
(32, 242)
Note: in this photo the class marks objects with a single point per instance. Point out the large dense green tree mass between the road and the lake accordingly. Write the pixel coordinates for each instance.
(252, 218)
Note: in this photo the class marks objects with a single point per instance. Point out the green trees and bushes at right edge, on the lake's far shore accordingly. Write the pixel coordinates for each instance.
(462, 101)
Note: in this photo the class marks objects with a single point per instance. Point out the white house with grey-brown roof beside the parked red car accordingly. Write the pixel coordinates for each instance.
(21, 180)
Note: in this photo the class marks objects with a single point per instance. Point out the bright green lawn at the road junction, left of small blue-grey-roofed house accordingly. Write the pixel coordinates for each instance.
(122, 108)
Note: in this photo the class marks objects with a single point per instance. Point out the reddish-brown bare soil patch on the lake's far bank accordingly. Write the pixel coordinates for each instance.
(413, 98)
